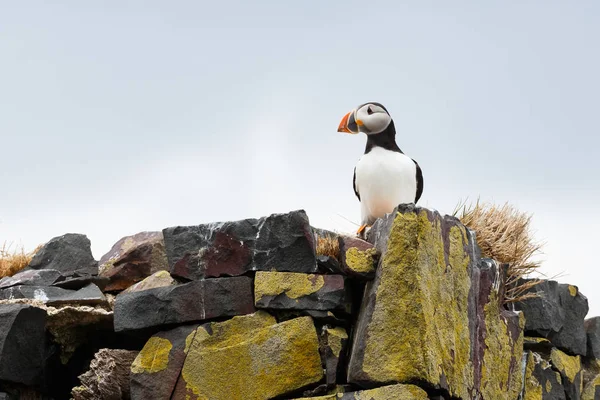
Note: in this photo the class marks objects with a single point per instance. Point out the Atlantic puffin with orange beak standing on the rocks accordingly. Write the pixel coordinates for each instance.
(384, 176)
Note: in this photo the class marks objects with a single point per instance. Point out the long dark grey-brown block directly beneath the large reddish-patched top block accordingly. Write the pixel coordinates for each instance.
(180, 304)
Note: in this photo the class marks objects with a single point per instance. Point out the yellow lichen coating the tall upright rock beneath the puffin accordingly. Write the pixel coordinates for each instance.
(410, 337)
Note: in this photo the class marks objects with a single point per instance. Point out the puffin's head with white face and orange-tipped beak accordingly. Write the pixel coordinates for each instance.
(370, 118)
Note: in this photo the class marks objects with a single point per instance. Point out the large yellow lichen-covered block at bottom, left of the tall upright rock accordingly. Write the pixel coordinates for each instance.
(246, 364)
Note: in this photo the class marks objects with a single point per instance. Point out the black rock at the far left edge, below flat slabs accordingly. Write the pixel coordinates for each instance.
(22, 344)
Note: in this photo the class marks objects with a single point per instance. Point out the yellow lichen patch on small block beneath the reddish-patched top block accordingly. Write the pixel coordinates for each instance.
(293, 285)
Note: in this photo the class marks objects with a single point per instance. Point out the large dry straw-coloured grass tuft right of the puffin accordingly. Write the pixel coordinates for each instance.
(504, 234)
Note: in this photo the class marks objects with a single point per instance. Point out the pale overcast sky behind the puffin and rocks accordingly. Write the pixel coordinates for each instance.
(123, 116)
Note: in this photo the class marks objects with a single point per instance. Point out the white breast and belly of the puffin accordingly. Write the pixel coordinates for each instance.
(384, 179)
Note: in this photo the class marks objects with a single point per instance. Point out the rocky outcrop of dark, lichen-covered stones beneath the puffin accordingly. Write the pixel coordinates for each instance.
(271, 308)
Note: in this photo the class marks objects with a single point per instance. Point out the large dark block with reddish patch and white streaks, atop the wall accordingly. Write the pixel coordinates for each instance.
(282, 242)
